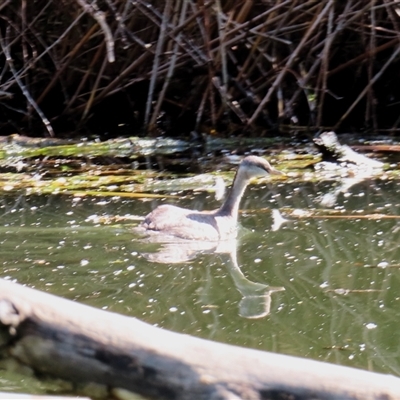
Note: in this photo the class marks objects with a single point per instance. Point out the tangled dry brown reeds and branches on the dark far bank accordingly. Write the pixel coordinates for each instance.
(121, 66)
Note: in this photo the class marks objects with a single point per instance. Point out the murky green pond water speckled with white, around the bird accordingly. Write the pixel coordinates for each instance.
(339, 271)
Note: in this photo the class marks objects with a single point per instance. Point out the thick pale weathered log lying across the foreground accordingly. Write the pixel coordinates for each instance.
(79, 343)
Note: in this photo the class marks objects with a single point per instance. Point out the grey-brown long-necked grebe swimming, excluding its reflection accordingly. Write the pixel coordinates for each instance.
(220, 224)
